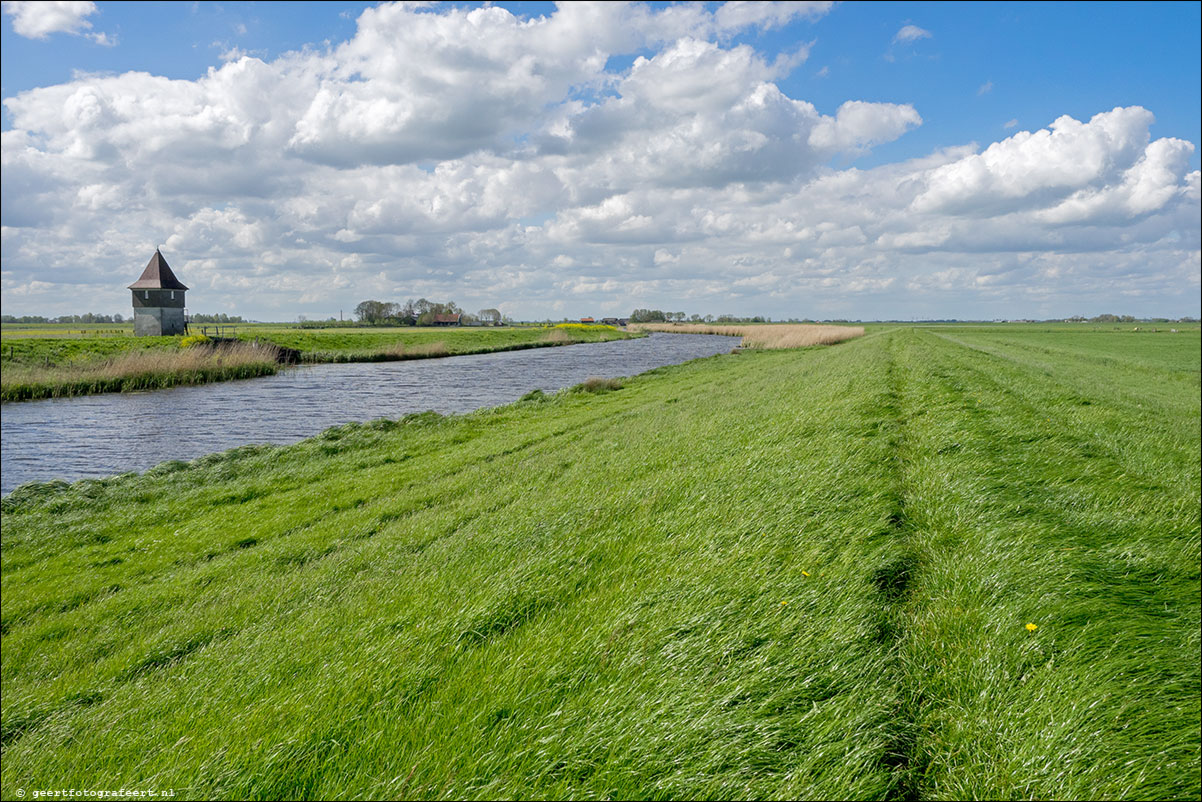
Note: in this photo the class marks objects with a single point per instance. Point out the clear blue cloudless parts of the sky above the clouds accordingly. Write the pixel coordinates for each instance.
(984, 66)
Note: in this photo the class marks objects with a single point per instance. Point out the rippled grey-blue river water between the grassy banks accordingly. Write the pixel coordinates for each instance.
(102, 436)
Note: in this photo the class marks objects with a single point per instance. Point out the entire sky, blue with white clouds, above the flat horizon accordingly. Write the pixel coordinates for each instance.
(931, 86)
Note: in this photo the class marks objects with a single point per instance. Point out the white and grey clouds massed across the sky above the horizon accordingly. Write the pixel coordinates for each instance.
(509, 162)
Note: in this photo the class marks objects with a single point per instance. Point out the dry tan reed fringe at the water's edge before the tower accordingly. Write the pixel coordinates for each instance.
(135, 371)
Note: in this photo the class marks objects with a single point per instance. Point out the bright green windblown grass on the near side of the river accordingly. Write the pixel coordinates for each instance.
(781, 574)
